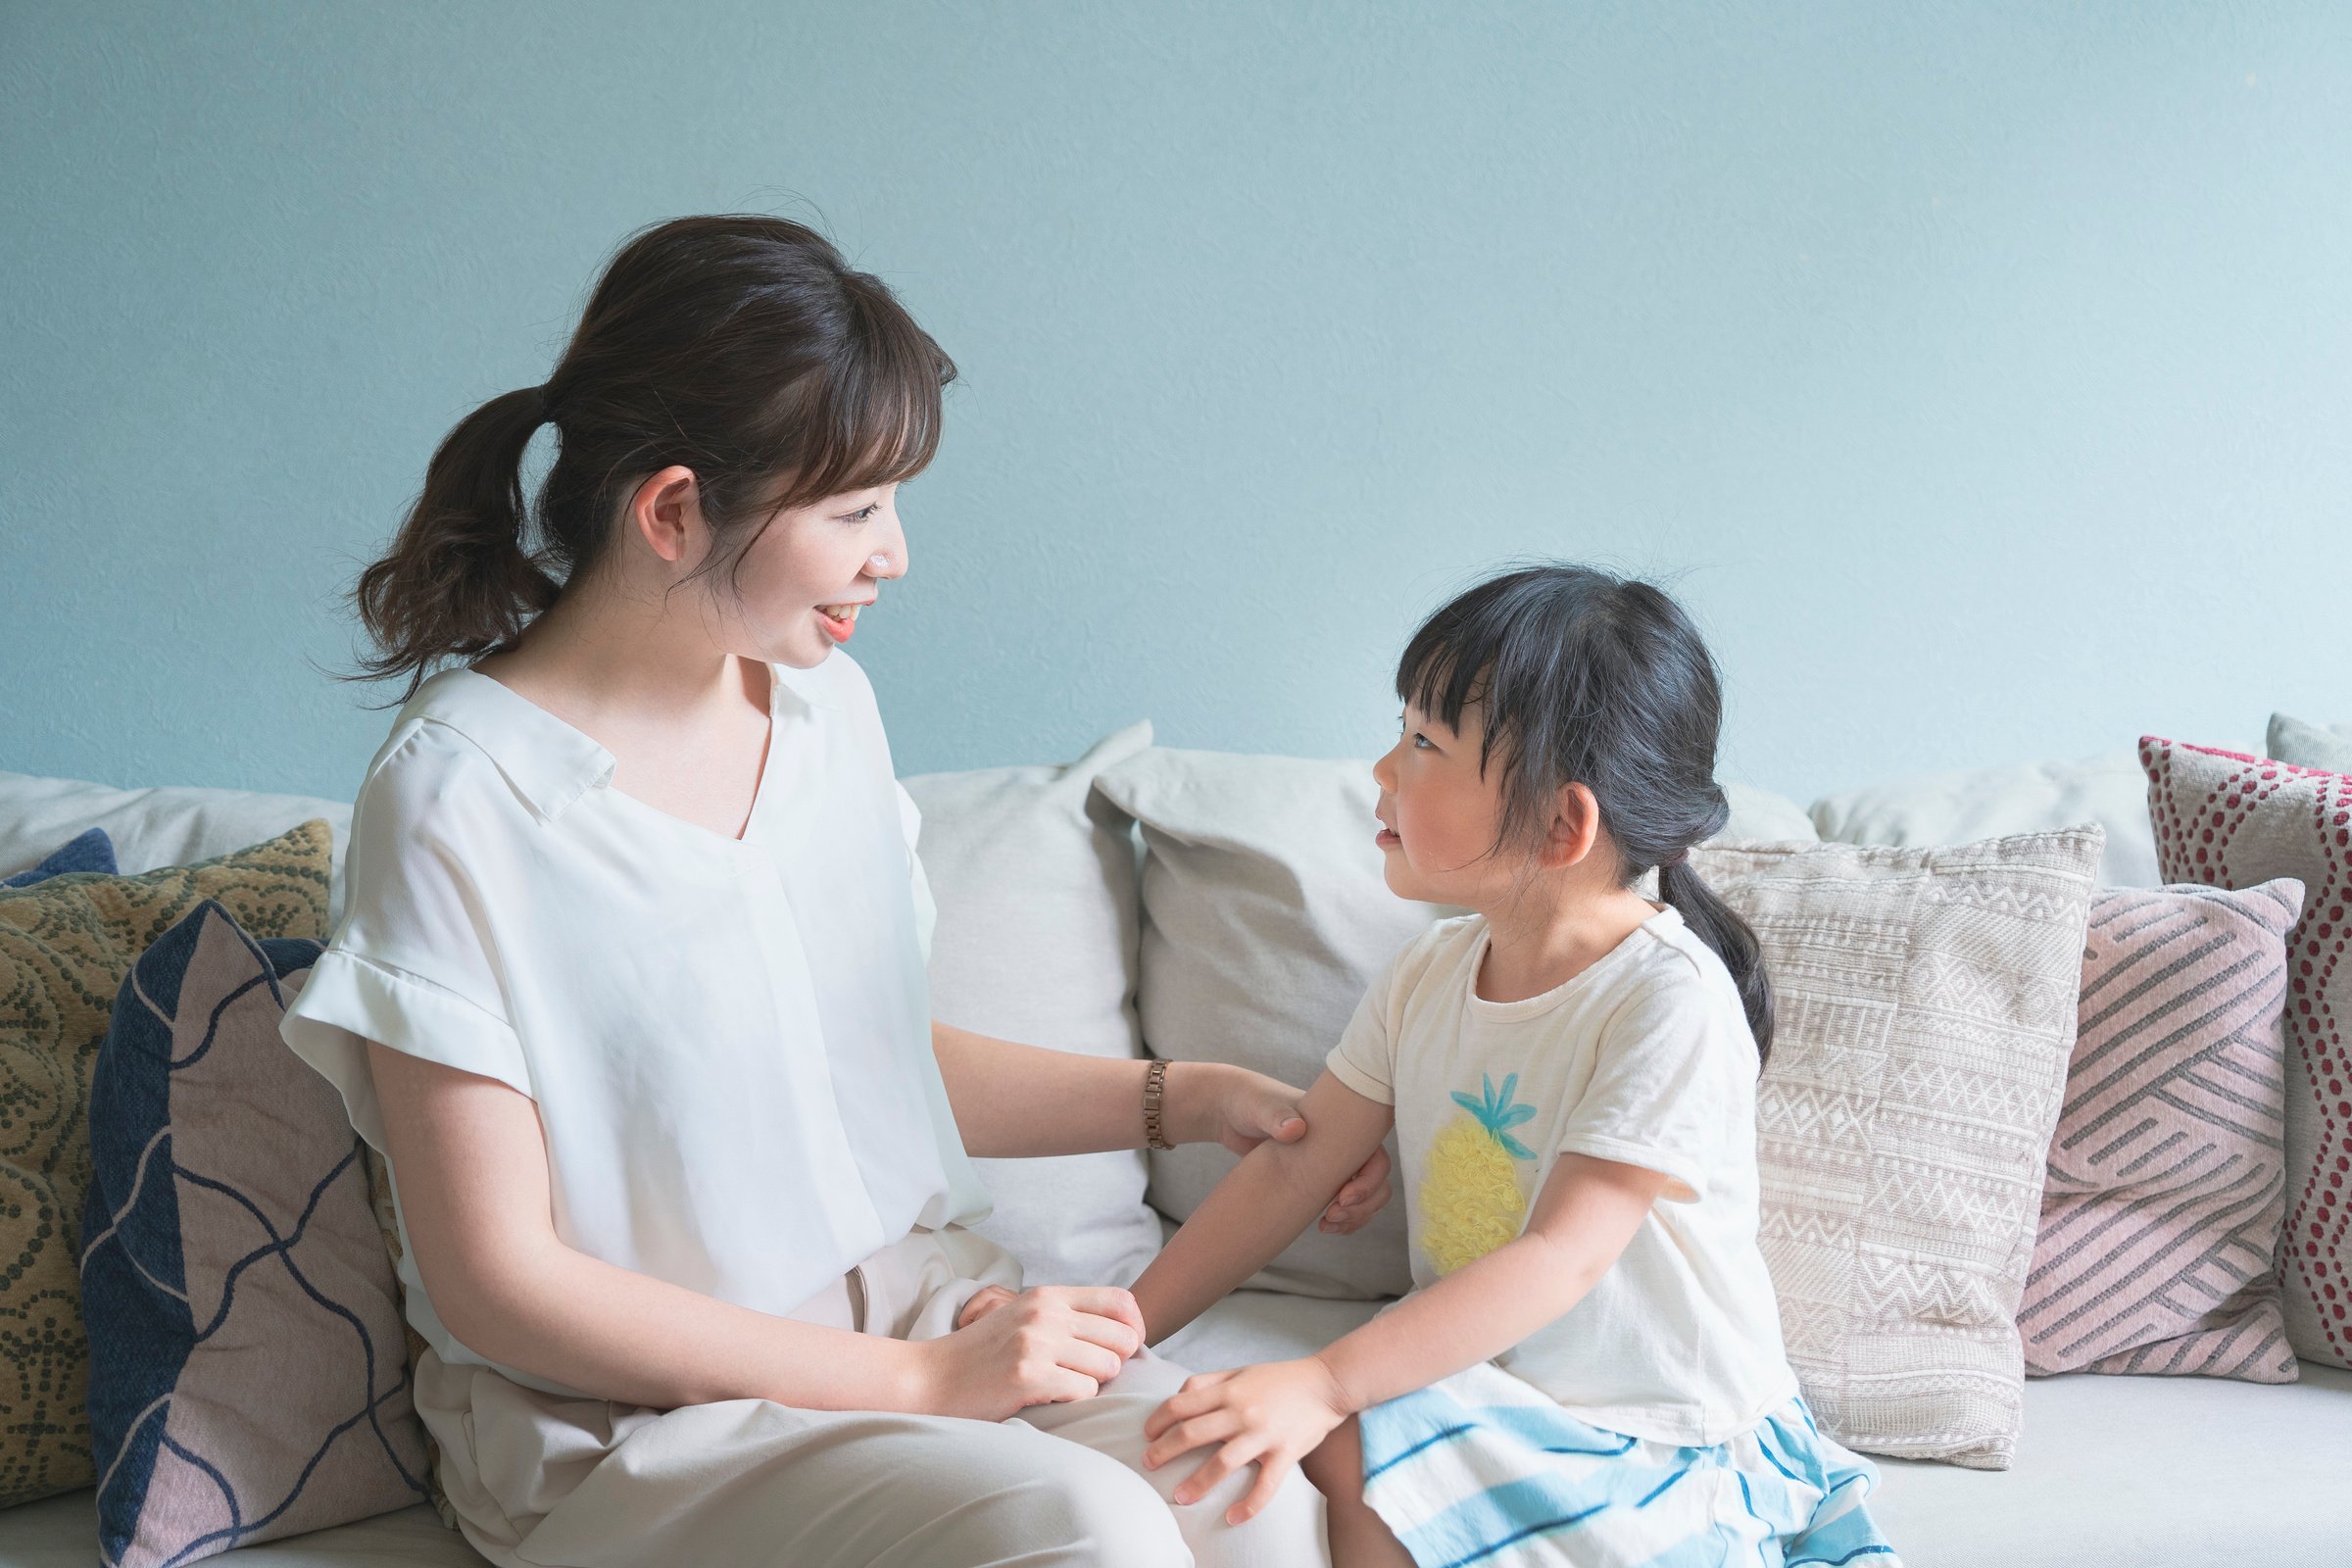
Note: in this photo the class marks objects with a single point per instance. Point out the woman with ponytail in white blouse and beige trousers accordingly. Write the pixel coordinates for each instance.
(632, 989)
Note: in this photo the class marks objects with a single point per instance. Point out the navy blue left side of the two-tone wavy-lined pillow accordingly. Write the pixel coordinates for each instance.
(133, 1271)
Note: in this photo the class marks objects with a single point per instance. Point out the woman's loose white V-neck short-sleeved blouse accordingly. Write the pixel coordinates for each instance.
(728, 1040)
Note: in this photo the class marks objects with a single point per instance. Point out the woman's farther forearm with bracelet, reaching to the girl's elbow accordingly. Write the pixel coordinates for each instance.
(1020, 1101)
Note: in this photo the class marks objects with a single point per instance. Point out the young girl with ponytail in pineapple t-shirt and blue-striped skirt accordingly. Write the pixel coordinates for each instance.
(1589, 1367)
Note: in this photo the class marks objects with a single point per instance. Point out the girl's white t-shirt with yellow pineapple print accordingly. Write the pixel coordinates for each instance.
(1643, 1059)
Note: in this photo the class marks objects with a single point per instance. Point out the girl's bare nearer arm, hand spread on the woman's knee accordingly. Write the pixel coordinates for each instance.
(1276, 1414)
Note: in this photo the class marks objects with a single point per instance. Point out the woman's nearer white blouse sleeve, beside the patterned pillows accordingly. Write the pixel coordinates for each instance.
(413, 965)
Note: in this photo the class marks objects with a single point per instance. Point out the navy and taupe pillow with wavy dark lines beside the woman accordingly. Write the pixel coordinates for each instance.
(248, 1374)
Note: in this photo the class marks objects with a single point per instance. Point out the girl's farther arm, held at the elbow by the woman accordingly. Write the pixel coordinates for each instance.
(1259, 1207)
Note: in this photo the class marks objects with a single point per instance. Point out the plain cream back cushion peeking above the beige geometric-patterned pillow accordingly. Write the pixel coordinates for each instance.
(1993, 803)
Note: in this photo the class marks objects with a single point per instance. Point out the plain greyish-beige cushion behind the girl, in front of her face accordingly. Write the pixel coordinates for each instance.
(1264, 920)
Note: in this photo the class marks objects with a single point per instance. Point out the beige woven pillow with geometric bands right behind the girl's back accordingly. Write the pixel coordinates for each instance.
(1925, 1021)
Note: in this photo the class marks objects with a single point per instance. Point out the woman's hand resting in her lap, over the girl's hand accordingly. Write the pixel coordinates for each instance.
(1045, 1346)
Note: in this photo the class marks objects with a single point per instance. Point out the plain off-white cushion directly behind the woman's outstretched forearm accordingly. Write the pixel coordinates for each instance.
(1036, 890)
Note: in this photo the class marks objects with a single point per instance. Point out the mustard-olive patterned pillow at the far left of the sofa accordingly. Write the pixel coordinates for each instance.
(65, 949)
